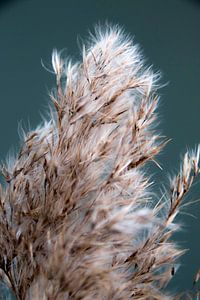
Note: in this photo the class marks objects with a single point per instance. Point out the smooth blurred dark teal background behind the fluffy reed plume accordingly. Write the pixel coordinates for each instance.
(169, 34)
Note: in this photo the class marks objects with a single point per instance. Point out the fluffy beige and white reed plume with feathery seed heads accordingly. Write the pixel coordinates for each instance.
(76, 216)
